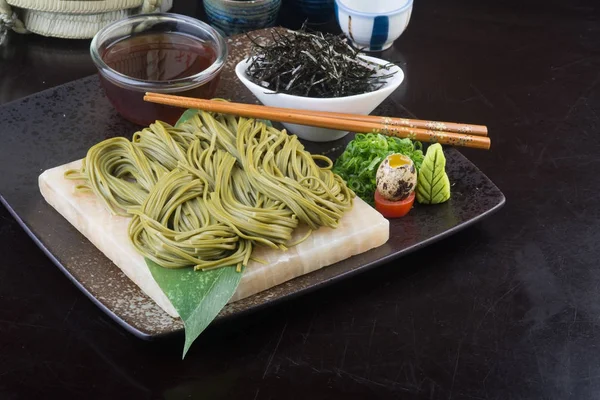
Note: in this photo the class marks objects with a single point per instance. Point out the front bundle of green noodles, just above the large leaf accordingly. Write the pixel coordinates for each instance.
(174, 228)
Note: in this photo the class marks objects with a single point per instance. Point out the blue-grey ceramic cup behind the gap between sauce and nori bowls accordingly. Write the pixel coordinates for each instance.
(235, 16)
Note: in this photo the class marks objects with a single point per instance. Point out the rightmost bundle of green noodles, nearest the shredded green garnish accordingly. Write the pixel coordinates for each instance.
(277, 166)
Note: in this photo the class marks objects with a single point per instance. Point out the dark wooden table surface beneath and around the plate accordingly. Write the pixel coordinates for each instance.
(508, 309)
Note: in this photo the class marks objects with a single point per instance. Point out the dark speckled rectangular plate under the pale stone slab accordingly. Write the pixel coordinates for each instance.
(57, 126)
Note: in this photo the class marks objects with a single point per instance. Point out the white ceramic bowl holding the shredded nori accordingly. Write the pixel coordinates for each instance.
(358, 104)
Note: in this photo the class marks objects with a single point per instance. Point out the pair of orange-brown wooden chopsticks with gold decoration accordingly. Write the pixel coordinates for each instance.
(448, 133)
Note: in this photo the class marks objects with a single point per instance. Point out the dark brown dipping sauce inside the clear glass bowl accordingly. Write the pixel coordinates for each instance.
(156, 57)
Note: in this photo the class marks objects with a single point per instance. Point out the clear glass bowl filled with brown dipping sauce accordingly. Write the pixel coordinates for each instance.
(162, 53)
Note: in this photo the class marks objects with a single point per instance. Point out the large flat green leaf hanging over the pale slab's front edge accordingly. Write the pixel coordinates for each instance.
(198, 296)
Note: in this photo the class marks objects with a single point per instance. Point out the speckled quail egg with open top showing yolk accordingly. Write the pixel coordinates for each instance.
(396, 177)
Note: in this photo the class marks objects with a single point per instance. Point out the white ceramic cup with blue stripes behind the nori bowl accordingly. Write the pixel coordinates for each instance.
(373, 25)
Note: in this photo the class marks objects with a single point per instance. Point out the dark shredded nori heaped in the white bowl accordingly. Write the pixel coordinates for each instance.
(311, 64)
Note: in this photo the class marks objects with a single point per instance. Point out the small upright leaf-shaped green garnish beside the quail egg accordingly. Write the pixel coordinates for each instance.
(433, 185)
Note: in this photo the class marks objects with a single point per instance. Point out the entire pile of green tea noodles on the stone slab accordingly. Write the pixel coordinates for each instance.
(205, 193)
